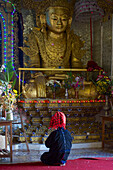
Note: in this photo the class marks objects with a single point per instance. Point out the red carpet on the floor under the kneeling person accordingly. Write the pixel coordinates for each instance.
(77, 164)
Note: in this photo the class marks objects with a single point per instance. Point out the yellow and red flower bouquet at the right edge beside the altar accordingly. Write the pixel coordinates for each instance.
(104, 84)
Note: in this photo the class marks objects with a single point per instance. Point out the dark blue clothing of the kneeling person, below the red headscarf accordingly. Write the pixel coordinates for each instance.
(59, 143)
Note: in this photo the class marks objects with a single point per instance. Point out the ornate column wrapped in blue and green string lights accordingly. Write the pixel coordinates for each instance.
(6, 19)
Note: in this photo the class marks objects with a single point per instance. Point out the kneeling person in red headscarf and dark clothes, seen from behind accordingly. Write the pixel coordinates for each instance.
(59, 142)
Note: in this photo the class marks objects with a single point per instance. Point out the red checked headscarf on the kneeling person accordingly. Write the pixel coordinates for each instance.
(58, 120)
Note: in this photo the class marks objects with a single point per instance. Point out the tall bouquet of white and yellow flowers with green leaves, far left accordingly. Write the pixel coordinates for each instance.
(8, 95)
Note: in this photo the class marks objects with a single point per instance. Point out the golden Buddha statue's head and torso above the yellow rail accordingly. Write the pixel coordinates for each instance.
(54, 44)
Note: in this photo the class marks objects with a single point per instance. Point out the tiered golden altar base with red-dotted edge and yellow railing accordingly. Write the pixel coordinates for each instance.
(81, 113)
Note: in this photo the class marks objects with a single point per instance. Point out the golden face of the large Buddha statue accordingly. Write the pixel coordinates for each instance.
(57, 19)
